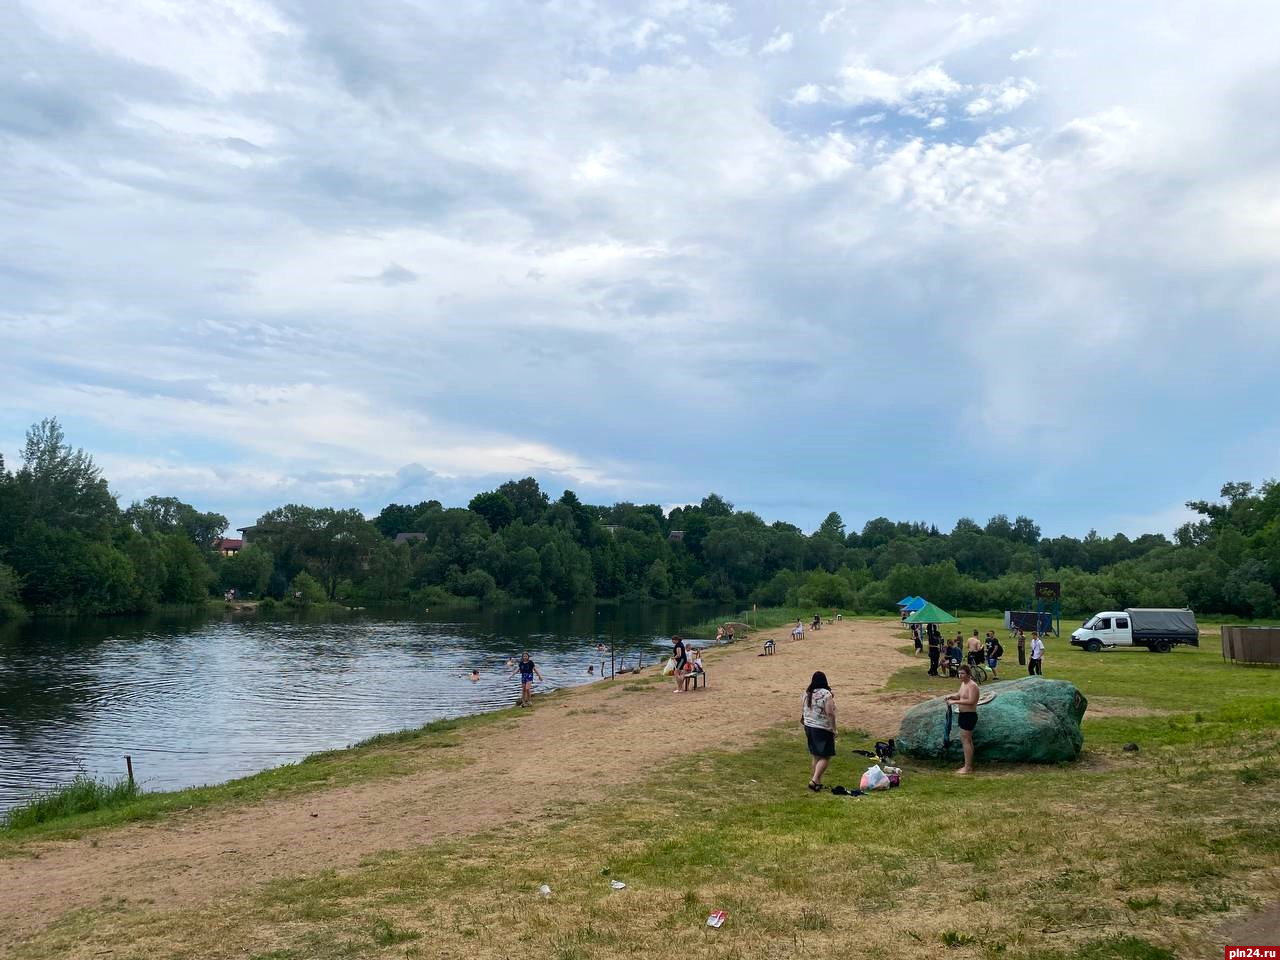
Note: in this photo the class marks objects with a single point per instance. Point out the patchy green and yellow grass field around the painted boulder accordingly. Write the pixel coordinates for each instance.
(1122, 857)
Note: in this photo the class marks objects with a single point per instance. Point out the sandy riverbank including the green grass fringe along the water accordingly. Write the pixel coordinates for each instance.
(406, 790)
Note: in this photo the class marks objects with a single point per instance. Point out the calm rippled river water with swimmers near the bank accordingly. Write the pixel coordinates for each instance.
(199, 701)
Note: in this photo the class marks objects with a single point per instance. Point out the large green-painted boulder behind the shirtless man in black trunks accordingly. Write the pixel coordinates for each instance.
(1027, 721)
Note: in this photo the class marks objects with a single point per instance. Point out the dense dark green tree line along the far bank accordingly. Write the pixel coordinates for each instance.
(68, 547)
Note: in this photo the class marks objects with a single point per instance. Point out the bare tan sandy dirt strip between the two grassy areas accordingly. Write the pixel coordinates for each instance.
(568, 749)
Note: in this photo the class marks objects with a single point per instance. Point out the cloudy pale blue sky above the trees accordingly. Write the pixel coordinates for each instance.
(920, 259)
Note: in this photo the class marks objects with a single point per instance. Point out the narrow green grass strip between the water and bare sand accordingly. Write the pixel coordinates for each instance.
(85, 806)
